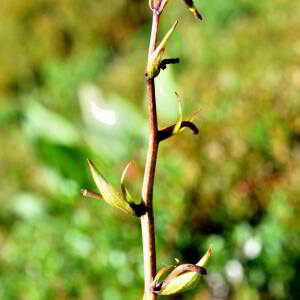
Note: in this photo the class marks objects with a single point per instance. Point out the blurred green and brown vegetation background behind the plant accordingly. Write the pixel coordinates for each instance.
(72, 87)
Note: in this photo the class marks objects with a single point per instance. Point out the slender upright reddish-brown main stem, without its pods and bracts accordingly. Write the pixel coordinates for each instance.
(147, 220)
